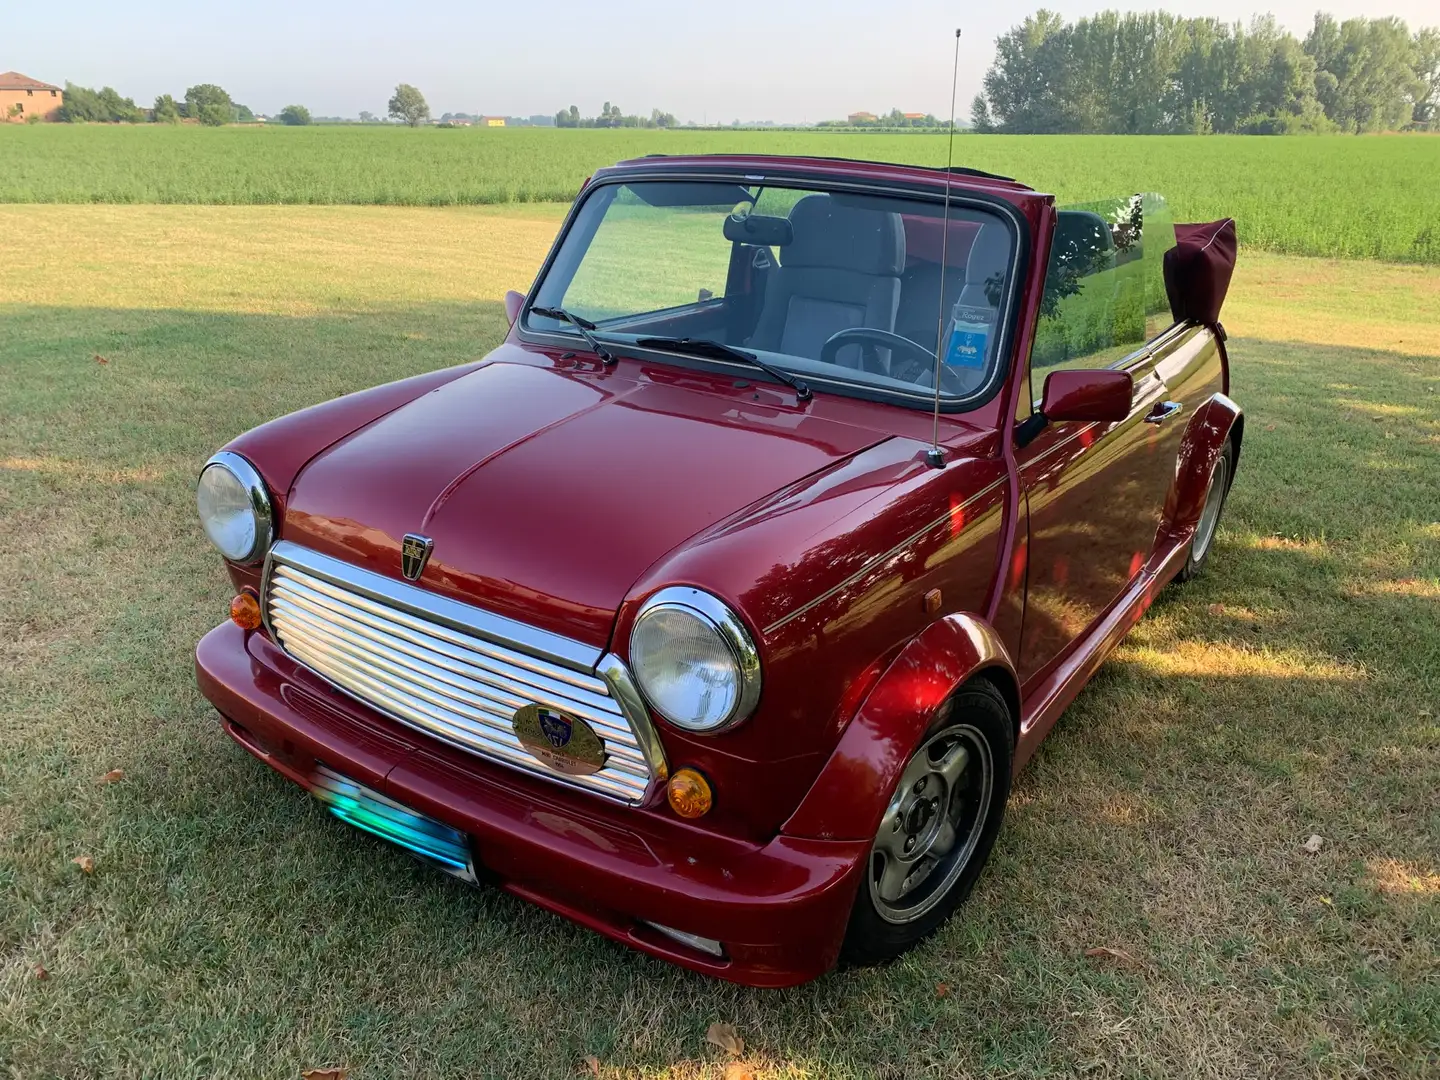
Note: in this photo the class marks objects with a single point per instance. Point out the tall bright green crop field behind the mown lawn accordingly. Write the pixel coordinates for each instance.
(1338, 197)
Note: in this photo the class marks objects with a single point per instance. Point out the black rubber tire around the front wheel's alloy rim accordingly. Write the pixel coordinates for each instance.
(976, 715)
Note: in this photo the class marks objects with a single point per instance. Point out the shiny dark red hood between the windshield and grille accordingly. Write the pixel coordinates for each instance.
(548, 492)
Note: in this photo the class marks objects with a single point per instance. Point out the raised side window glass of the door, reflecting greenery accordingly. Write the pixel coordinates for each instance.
(1105, 286)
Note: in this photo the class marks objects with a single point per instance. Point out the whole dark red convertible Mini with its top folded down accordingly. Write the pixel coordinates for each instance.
(718, 607)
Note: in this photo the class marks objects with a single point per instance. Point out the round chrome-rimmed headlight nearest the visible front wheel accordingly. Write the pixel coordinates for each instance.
(695, 660)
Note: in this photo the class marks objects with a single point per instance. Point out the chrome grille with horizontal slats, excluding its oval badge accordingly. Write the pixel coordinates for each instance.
(453, 670)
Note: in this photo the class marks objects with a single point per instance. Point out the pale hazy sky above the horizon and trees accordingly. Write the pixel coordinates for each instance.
(784, 61)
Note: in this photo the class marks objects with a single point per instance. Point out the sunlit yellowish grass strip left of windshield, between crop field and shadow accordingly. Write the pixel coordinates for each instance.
(273, 260)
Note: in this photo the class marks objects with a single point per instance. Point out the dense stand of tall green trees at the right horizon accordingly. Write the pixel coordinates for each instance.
(1154, 73)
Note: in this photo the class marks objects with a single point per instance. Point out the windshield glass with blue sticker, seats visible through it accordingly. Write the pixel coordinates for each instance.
(842, 290)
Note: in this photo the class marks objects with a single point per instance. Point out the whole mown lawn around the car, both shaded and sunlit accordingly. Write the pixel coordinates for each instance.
(233, 930)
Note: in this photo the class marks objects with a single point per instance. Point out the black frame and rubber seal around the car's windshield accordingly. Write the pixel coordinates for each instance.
(924, 398)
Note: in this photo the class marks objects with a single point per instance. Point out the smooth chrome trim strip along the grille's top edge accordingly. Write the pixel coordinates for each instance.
(434, 608)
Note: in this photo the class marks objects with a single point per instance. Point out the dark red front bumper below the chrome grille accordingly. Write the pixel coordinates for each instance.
(780, 909)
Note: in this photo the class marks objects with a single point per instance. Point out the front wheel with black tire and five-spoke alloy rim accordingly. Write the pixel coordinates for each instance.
(938, 829)
